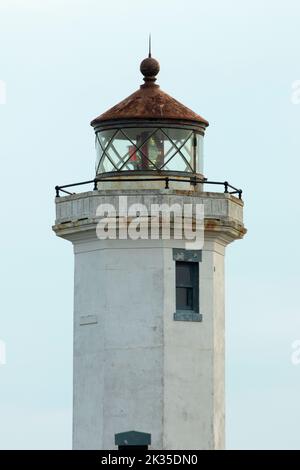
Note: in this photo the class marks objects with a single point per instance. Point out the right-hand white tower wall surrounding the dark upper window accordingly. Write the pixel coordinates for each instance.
(194, 362)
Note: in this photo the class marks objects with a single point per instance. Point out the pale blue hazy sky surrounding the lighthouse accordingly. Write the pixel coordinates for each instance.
(65, 62)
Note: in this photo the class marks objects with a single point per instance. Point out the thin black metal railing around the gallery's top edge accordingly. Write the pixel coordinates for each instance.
(228, 188)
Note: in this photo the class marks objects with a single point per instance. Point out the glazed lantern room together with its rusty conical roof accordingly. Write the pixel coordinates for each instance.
(149, 133)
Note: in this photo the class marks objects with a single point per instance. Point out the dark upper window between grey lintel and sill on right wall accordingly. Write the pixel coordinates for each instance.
(187, 286)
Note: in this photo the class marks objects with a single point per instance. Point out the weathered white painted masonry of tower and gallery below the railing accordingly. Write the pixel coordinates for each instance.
(135, 368)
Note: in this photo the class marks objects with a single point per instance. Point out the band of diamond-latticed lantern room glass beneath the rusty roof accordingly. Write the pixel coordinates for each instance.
(144, 149)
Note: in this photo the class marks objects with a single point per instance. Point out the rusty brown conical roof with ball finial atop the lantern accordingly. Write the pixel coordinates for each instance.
(150, 102)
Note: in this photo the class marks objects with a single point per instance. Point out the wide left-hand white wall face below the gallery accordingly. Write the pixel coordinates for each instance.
(118, 361)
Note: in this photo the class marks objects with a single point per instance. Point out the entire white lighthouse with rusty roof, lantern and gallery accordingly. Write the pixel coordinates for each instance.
(148, 310)
